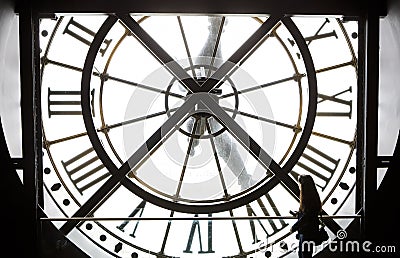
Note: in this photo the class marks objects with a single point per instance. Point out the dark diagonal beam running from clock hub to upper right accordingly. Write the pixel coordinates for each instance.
(243, 52)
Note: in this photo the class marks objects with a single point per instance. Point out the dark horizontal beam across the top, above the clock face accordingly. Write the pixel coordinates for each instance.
(327, 7)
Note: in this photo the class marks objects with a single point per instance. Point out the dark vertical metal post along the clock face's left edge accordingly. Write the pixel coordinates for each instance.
(31, 126)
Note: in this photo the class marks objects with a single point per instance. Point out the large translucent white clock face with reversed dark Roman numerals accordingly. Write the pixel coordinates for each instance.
(171, 132)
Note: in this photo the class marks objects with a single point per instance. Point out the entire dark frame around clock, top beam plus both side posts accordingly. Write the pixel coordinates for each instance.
(368, 14)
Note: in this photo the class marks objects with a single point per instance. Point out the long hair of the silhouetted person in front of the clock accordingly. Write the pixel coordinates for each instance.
(309, 197)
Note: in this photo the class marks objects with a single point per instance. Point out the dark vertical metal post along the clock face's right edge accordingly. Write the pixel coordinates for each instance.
(369, 149)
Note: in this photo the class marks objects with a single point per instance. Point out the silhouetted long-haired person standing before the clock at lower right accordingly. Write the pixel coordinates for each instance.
(307, 223)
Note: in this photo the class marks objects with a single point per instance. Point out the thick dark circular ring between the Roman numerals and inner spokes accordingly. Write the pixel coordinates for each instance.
(197, 208)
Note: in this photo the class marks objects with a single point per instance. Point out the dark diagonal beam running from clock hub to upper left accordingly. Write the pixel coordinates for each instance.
(159, 53)
